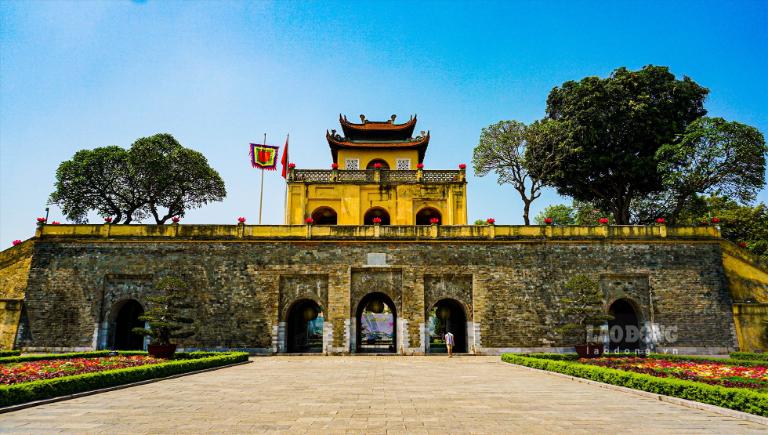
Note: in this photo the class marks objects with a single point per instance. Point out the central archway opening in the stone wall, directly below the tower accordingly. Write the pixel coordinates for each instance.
(376, 324)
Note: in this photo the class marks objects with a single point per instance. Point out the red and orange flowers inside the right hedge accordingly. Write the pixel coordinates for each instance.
(727, 373)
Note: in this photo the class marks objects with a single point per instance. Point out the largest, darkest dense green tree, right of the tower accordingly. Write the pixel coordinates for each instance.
(602, 135)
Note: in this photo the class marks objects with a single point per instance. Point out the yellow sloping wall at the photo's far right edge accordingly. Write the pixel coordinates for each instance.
(748, 284)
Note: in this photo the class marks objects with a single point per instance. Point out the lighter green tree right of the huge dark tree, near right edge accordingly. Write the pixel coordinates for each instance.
(713, 157)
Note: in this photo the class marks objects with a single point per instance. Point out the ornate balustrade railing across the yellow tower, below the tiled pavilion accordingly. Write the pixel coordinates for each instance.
(375, 176)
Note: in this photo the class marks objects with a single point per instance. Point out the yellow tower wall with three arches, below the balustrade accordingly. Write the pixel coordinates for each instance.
(352, 201)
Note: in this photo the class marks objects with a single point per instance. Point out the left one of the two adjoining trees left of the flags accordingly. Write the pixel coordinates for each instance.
(102, 180)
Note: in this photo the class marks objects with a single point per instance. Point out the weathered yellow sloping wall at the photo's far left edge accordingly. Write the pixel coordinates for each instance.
(14, 272)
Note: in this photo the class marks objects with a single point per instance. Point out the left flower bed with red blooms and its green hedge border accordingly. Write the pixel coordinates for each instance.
(89, 378)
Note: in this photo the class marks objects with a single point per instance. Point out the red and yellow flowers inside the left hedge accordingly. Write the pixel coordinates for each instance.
(15, 373)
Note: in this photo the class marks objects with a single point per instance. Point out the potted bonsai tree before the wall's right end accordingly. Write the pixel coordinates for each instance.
(583, 311)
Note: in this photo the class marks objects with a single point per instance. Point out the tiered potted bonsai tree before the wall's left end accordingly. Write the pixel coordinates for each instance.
(165, 317)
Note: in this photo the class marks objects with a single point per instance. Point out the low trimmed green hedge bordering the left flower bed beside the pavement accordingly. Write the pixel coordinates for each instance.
(47, 388)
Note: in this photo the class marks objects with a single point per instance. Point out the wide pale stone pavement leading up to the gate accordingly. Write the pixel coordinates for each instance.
(369, 395)
